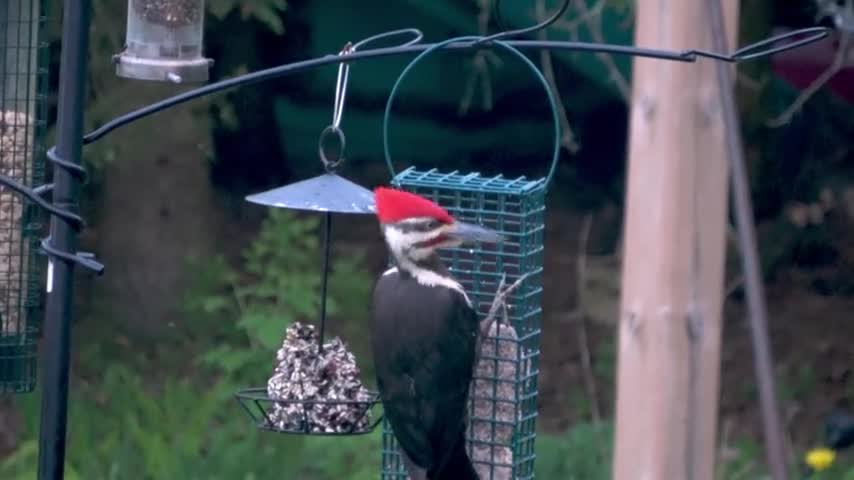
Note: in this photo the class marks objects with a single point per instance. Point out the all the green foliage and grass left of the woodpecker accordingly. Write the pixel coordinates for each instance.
(124, 426)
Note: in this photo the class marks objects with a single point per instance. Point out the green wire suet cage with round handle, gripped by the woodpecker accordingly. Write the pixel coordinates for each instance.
(503, 399)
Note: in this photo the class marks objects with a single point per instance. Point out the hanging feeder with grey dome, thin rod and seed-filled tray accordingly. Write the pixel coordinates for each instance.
(327, 397)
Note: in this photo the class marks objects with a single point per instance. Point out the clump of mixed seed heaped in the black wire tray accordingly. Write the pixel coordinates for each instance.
(303, 376)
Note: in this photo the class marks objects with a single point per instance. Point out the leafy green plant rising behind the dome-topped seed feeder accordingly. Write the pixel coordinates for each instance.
(278, 283)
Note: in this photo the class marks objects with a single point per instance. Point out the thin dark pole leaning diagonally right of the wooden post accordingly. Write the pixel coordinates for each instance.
(758, 312)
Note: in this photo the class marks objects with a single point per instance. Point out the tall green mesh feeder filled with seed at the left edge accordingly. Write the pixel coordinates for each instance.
(22, 118)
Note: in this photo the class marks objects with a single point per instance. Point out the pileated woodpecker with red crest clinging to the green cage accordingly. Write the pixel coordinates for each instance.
(424, 333)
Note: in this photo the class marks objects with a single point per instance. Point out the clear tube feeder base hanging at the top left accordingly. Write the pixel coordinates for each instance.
(164, 42)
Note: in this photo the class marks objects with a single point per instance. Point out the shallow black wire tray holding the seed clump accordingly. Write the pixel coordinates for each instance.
(258, 405)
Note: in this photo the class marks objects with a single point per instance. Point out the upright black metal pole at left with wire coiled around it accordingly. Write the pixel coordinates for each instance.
(56, 346)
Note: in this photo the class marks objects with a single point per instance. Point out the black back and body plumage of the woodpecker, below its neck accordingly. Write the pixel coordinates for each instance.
(423, 342)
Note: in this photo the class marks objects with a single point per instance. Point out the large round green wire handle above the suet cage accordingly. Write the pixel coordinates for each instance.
(509, 48)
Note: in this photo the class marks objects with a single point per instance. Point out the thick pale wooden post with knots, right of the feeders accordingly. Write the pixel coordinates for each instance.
(670, 309)
